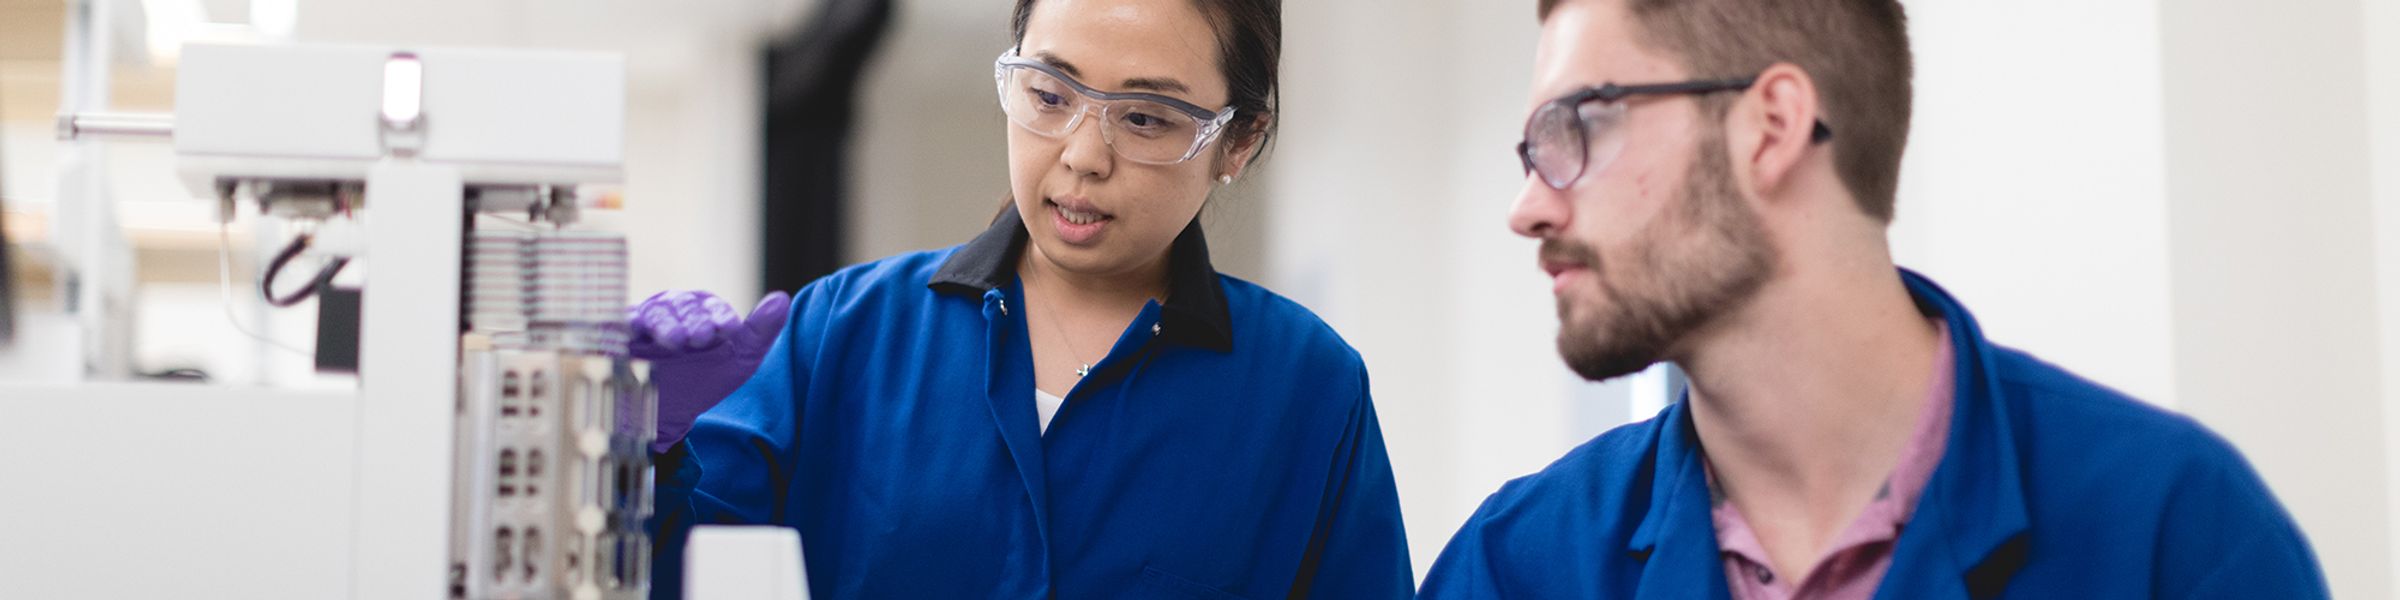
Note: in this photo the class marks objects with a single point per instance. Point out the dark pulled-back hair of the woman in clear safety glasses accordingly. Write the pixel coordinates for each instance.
(1249, 52)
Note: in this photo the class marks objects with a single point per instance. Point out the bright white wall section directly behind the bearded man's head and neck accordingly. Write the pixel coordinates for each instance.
(2034, 184)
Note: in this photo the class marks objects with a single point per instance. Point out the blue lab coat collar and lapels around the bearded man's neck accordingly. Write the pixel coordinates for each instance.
(1969, 524)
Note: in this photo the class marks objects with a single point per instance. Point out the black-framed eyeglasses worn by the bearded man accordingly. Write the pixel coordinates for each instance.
(1585, 131)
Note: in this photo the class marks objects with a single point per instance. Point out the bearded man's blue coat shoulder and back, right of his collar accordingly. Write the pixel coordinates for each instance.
(2132, 486)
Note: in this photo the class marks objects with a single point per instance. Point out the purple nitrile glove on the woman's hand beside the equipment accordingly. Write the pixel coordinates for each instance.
(700, 352)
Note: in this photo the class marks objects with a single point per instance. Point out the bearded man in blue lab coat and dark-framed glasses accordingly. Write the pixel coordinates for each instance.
(1710, 184)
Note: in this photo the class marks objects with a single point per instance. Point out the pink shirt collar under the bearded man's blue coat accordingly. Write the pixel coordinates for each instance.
(1861, 553)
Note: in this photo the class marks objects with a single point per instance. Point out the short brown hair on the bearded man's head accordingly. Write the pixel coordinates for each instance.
(1854, 49)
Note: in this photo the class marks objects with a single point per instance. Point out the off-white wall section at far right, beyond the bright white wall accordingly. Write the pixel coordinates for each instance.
(2272, 236)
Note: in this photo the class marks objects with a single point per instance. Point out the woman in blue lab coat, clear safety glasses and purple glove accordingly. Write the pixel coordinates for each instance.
(1074, 404)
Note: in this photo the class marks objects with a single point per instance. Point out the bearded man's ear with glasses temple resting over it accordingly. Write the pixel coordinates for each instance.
(1775, 126)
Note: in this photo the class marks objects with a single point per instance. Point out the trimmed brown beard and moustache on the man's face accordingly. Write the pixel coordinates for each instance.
(1688, 270)
